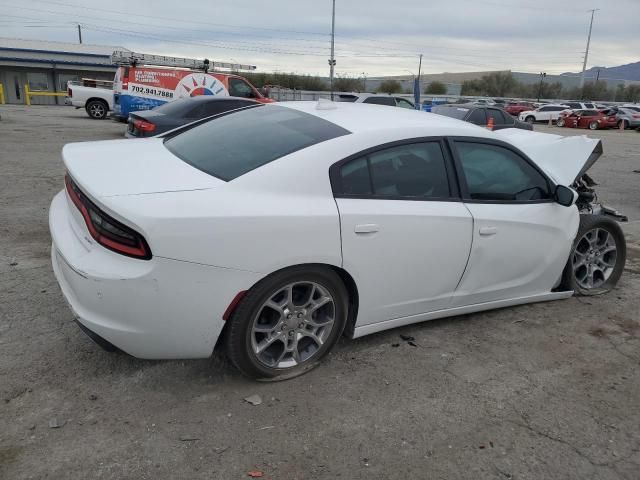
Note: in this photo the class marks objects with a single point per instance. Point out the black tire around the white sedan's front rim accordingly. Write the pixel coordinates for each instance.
(587, 224)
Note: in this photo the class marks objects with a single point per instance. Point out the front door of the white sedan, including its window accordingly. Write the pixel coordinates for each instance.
(521, 237)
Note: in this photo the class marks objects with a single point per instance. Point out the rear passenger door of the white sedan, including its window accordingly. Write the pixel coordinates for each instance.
(406, 235)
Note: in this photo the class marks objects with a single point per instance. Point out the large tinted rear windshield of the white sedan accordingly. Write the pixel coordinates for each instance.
(229, 146)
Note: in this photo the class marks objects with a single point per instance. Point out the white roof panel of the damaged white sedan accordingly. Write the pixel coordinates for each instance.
(362, 117)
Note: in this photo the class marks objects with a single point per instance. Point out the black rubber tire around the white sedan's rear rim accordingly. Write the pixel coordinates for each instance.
(238, 339)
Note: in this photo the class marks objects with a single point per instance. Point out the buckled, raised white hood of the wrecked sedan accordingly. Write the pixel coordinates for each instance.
(564, 159)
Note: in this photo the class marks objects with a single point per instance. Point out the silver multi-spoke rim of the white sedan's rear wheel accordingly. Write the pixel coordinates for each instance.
(292, 324)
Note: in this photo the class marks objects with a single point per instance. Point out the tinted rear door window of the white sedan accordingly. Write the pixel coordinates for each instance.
(413, 170)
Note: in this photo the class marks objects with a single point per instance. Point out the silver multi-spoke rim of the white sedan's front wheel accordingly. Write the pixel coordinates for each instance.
(594, 258)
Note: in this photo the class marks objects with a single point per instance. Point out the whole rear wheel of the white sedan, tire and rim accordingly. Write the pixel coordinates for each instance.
(287, 322)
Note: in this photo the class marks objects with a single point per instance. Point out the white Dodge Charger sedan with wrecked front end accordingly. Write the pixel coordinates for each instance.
(274, 229)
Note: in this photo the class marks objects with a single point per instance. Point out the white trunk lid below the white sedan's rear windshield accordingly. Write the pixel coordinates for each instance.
(131, 167)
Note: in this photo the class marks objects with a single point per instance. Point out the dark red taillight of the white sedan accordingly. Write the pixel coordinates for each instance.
(106, 230)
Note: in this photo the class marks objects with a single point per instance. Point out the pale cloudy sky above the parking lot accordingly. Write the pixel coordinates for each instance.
(373, 37)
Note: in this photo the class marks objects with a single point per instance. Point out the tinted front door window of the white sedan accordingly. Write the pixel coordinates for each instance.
(496, 173)
